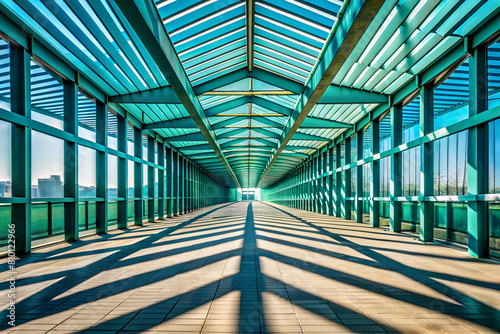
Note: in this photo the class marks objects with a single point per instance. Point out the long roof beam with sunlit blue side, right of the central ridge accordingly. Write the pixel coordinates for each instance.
(340, 44)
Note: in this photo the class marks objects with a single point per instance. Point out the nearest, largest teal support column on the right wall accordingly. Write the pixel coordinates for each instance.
(477, 156)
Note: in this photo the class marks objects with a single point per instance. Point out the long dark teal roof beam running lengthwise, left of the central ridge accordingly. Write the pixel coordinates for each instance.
(149, 28)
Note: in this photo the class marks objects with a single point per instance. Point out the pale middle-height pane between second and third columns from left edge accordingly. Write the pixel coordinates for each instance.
(86, 172)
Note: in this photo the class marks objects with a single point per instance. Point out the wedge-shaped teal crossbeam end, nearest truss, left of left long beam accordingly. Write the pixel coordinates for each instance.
(161, 95)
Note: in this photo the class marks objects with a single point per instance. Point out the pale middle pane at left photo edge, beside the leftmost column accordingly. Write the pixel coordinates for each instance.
(5, 159)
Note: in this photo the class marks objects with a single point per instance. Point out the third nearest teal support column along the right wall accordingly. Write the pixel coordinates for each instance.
(396, 167)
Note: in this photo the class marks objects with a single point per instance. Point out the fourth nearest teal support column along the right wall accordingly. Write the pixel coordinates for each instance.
(375, 175)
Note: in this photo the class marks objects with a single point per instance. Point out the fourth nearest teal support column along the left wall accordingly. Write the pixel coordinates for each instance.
(122, 174)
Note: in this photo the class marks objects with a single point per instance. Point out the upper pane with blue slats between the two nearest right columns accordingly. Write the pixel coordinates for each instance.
(451, 98)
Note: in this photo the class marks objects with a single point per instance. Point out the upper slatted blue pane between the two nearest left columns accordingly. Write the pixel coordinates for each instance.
(47, 97)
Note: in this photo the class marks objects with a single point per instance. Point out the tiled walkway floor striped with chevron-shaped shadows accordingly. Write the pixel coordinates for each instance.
(251, 267)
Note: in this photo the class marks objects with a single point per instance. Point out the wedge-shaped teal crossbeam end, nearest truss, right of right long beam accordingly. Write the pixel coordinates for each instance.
(345, 95)
